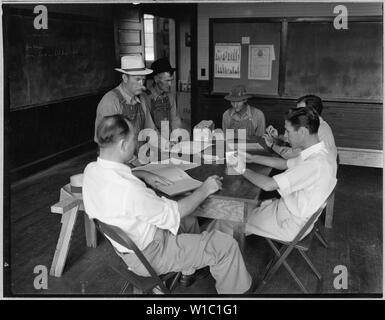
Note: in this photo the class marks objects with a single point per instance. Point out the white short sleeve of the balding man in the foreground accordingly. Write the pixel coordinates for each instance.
(158, 211)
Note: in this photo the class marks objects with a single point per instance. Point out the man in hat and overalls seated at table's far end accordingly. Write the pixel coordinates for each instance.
(242, 115)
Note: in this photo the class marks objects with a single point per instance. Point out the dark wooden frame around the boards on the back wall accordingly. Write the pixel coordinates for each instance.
(285, 21)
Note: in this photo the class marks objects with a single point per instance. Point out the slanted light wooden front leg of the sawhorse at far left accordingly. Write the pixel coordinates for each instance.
(68, 221)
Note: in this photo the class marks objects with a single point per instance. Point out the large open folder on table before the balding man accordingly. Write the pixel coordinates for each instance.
(182, 182)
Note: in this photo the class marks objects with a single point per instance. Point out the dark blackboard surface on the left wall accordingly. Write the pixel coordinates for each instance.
(75, 56)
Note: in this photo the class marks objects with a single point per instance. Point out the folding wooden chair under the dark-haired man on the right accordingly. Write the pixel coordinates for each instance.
(301, 245)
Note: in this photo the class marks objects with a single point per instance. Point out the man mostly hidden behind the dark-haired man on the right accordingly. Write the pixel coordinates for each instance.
(325, 133)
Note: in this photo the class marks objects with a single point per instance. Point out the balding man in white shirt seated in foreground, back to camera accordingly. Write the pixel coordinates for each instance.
(112, 194)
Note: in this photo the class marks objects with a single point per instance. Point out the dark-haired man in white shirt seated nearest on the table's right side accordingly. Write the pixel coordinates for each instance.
(304, 186)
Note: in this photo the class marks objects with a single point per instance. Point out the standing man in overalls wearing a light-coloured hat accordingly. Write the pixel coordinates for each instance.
(128, 97)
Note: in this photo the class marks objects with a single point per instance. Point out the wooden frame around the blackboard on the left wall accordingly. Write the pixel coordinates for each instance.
(8, 12)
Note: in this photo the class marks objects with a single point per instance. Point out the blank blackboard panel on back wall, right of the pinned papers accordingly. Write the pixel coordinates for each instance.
(335, 64)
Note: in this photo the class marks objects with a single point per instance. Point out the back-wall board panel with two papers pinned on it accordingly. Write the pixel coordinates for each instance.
(259, 33)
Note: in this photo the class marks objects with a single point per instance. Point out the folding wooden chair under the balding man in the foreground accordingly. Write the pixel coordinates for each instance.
(141, 284)
